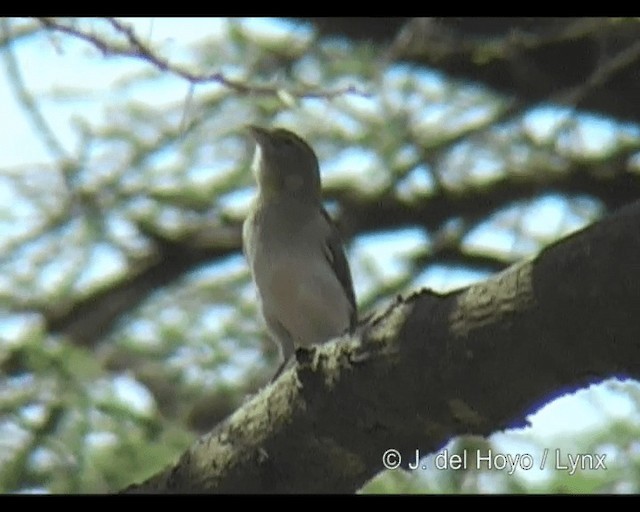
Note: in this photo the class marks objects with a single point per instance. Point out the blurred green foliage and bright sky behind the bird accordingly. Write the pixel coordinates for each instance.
(128, 322)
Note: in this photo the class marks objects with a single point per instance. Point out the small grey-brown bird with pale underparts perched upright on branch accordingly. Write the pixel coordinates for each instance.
(294, 249)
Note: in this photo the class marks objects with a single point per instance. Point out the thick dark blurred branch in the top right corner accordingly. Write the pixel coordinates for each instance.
(588, 63)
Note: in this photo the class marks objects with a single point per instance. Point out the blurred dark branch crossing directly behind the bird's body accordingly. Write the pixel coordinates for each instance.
(89, 320)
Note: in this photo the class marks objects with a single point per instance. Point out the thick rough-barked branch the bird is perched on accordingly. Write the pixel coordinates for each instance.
(432, 367)
